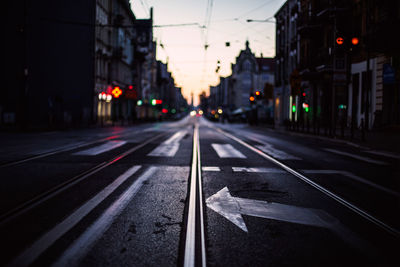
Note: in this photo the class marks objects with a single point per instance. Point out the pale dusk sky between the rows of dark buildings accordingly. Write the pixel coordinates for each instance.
(212, 22)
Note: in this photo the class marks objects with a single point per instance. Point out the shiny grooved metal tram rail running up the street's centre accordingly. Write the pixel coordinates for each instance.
(195, 193)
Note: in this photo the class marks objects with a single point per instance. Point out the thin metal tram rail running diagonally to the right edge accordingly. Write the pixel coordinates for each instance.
(332, 195)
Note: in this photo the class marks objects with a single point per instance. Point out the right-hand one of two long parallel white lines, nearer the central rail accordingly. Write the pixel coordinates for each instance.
(74, 254)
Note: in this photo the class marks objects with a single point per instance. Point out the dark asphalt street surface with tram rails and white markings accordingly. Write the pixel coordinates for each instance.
(195, 193)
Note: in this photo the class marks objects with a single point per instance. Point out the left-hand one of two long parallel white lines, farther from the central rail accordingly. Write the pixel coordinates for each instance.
(28, 256)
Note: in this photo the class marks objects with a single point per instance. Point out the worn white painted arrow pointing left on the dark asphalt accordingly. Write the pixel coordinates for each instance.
(232, 209)
